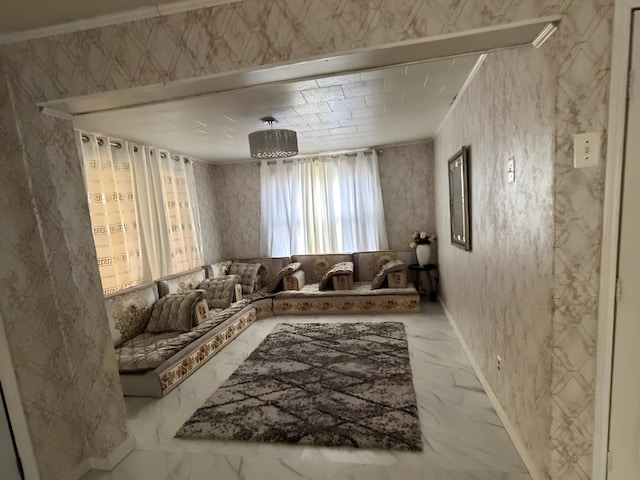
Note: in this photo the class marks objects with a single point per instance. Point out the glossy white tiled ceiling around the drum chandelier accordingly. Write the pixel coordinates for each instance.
(333, 113)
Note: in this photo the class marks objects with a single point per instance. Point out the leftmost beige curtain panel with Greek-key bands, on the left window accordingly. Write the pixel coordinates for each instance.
(112, 205)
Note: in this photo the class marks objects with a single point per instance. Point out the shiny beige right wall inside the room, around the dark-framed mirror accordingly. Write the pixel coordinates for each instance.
(500, 292)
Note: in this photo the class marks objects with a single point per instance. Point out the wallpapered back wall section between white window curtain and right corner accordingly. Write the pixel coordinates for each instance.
(406, 179)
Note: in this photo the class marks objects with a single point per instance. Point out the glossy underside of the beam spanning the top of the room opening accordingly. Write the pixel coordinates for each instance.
(484, 39)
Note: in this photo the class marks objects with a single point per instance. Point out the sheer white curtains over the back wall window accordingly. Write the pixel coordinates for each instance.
(322, 205)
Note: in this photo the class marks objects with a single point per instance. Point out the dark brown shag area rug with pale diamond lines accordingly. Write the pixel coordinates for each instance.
(334, 384)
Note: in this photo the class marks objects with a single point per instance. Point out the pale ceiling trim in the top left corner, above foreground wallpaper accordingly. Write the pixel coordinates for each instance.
(127, 16)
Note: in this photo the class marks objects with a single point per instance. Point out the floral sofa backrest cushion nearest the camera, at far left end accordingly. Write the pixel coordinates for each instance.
(128, 311)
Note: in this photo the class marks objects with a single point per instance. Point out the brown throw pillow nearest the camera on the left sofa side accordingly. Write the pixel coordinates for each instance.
(173, 312)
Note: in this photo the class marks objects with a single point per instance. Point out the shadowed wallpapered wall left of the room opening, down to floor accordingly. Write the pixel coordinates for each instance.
(51, 303)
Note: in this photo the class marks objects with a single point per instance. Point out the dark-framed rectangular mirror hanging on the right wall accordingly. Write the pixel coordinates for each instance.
(459, 199)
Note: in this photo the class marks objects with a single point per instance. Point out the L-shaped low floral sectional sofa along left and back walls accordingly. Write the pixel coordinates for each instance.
(215, 303)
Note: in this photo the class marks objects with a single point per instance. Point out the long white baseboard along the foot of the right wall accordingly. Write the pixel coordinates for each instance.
(513, 433)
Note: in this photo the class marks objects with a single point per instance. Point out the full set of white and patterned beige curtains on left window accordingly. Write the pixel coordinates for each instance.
(152, 230)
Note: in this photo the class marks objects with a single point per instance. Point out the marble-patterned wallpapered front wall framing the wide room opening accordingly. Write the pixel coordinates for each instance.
(34, 149)
